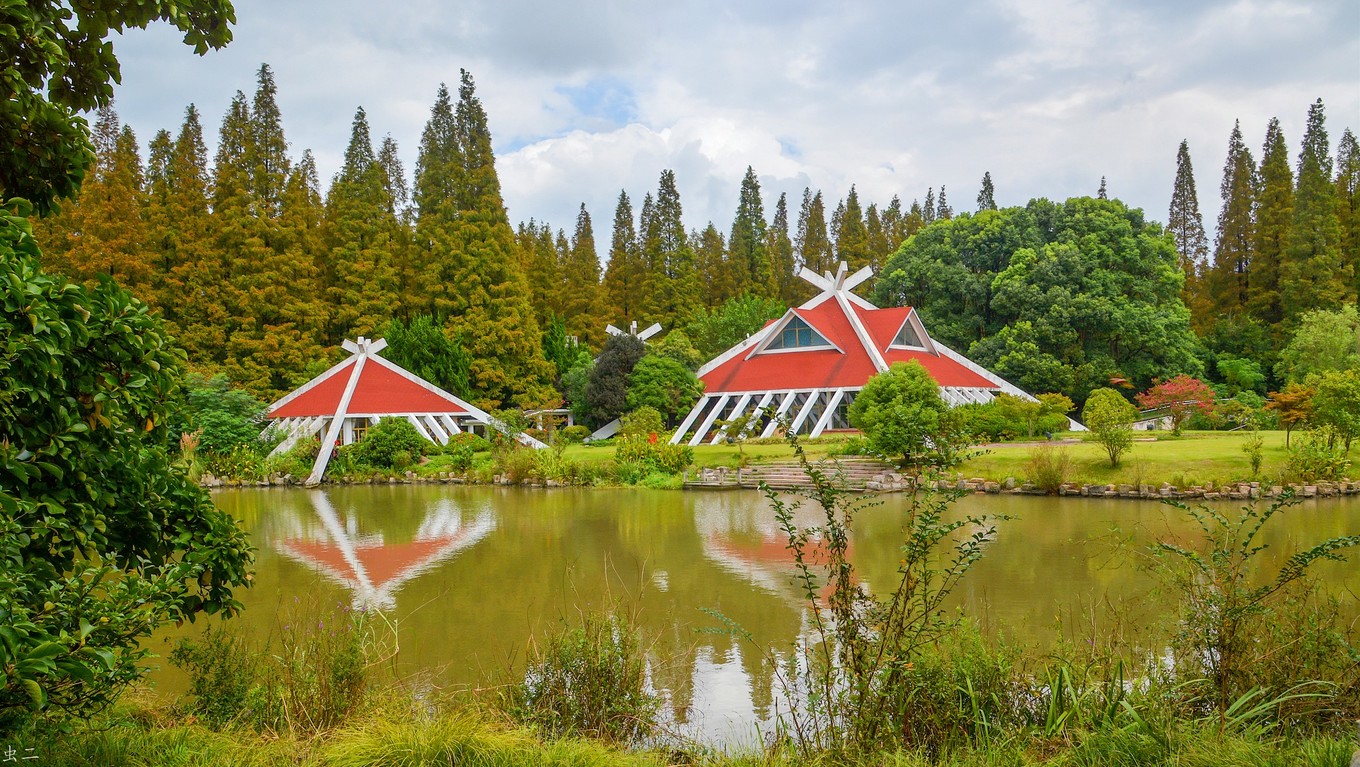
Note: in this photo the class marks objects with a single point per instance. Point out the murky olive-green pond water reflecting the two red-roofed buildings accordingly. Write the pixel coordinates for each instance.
(470, 575)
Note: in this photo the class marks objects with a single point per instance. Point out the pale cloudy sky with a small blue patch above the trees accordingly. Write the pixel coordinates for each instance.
(894, 97)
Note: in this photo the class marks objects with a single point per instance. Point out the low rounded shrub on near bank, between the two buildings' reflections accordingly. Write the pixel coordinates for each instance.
(588, 681)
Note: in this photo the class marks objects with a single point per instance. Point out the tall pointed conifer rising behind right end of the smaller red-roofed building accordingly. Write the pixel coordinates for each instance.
(498, 326)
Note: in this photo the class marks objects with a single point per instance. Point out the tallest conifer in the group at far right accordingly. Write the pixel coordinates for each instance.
(1314, 274)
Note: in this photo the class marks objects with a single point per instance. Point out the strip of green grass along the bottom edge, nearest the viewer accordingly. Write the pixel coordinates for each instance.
(464, 739)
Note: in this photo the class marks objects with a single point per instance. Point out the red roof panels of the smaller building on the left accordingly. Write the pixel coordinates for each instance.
(384, 388)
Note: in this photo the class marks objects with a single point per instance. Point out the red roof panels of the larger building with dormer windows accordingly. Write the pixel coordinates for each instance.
(832, 369)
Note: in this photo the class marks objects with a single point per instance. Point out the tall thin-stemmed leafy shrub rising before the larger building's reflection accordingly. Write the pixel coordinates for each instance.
(860, 682)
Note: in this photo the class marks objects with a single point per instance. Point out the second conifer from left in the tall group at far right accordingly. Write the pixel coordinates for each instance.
(1230, 279)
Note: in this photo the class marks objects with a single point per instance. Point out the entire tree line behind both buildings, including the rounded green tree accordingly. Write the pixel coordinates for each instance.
(260, 274)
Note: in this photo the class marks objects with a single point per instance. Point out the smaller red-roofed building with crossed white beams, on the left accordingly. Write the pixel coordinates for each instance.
(345, 402)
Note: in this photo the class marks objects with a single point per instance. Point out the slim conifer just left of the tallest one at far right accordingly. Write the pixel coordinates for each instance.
(1274, 216)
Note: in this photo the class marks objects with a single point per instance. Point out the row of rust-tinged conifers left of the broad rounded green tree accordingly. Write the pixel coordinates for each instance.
(260, 274)
